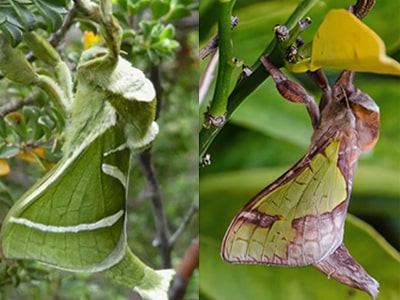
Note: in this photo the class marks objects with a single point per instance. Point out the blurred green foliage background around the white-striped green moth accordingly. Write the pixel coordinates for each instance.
(31, 120)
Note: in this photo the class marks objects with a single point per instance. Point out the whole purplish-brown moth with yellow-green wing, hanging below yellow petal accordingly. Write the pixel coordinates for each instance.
(298, 220)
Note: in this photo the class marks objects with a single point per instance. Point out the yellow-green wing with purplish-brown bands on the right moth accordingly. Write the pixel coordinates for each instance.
(297, 220)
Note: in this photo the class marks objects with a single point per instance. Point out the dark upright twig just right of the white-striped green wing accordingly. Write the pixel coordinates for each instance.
(161, 241)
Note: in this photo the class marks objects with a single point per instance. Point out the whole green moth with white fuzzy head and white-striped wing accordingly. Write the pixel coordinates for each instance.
(74, 218)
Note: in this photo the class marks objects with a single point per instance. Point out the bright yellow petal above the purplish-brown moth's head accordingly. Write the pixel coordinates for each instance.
(344, 42)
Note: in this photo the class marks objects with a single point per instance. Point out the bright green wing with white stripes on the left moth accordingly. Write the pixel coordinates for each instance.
(74, 217)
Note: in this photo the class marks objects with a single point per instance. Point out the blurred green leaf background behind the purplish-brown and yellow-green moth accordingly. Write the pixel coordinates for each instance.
(268, 134)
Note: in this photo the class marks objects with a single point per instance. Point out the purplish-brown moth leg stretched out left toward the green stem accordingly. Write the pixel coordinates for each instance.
(292, 91)
